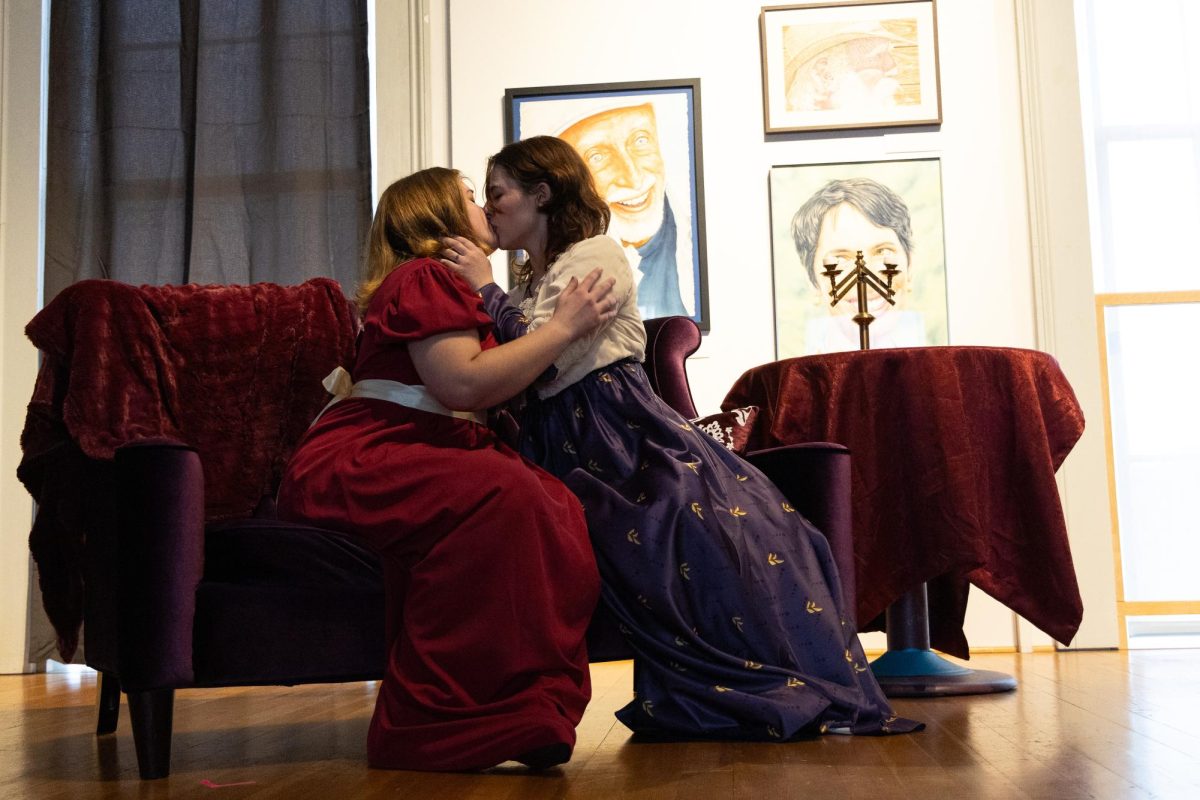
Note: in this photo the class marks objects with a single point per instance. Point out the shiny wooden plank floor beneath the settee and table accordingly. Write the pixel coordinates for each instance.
(1084, 725)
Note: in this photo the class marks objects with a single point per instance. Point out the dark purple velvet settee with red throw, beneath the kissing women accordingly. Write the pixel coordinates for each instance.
(154, 446)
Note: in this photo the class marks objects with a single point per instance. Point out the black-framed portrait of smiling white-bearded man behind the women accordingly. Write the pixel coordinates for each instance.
(641, 142)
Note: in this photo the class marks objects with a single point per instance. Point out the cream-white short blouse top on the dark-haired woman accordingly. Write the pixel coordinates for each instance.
(623, 338)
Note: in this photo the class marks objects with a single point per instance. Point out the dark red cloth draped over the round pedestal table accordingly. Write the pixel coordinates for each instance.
(955, 452)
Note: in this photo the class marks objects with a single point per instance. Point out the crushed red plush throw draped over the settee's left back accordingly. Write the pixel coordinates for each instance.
(232, 371)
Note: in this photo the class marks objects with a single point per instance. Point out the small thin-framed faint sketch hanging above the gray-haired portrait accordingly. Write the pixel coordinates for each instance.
(850, 64)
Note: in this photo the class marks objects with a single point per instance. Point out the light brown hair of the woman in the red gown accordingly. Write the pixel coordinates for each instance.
(413, 216)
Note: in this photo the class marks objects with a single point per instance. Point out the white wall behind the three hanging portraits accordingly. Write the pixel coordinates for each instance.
(991, 286)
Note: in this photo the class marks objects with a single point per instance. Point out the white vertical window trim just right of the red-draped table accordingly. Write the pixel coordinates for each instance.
(1063, 269)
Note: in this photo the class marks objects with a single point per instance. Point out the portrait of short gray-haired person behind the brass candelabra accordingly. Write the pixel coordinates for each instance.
(827, 214)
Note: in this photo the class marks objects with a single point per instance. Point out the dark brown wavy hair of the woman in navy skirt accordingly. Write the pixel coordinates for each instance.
(575, 208)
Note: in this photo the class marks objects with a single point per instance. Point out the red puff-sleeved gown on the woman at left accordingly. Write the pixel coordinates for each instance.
(488, 564)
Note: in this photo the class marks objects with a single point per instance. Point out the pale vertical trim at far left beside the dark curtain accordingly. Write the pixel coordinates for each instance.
(21, 41)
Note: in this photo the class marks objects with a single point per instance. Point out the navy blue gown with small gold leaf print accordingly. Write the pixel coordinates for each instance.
(729, 597)
